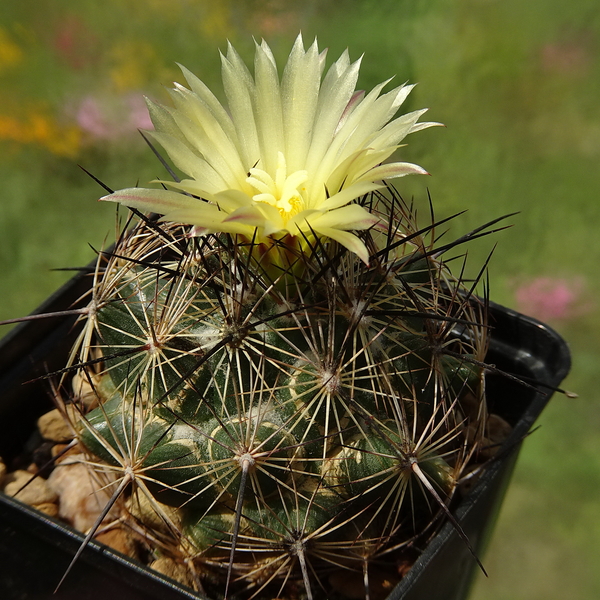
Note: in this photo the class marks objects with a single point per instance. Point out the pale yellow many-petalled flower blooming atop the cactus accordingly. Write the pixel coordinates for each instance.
(288, 155)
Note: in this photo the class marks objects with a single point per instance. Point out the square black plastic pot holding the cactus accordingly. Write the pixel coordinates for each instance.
(35, 550)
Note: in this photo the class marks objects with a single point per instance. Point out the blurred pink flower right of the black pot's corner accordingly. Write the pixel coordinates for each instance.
(551, 299)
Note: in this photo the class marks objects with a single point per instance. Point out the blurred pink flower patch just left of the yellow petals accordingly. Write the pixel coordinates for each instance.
(112, 119)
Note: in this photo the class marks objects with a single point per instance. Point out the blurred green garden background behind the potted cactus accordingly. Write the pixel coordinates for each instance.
(517, 82)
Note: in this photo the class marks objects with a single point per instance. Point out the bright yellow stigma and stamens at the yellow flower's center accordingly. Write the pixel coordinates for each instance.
(284, 192)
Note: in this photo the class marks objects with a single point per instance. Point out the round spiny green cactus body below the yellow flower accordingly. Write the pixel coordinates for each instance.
(297, 425)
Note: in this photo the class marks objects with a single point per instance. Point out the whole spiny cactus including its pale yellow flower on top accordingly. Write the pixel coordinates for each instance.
(288, 379)
